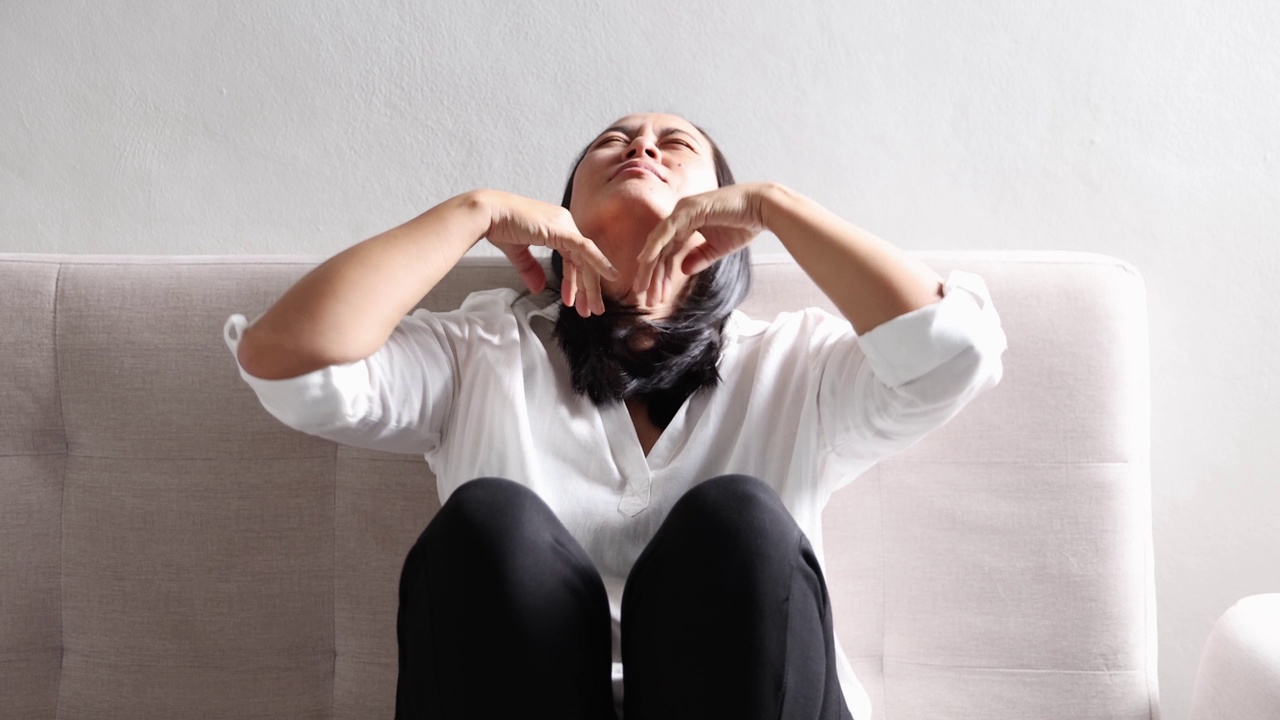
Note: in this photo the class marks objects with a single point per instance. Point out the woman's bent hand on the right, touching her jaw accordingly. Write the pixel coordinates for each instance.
(701, 230)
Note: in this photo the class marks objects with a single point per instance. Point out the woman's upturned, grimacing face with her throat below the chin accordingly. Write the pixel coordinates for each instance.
(618, 211)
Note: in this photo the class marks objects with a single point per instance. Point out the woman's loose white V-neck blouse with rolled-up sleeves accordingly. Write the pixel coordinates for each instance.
(804, 404)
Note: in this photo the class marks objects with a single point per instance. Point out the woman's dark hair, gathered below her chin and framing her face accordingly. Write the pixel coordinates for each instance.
(621, 354)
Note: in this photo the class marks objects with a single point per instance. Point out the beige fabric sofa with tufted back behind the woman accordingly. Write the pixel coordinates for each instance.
(170, 550)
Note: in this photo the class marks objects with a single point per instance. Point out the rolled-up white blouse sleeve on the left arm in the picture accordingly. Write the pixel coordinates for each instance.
(396, 400)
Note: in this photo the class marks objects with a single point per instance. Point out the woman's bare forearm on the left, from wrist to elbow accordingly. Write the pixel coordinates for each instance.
(346, 308)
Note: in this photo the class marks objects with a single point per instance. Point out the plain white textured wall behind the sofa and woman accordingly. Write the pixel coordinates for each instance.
(1145, 130)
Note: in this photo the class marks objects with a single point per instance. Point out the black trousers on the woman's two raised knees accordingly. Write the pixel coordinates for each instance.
(725, 614)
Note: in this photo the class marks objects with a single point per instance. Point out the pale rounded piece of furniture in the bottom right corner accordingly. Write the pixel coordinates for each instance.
(1240, 668)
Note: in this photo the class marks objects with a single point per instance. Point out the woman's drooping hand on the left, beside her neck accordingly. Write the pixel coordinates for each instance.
(518, 222)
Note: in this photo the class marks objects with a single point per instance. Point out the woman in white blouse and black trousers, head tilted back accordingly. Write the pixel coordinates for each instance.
(636, 485)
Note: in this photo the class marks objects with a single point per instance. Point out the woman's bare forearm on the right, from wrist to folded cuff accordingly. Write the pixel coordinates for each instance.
(867, 279)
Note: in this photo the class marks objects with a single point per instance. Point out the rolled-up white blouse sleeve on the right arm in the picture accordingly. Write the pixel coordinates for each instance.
(884, 391)
